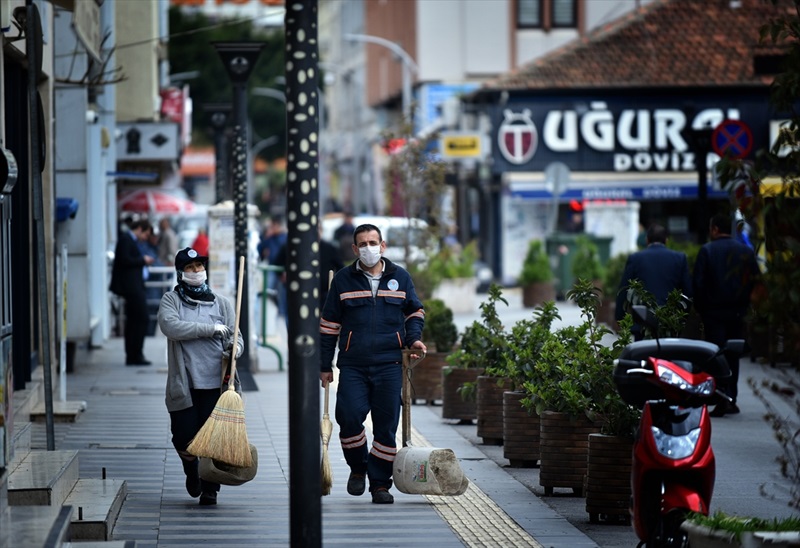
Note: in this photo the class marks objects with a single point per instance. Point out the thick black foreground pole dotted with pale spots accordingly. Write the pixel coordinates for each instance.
(303, 122)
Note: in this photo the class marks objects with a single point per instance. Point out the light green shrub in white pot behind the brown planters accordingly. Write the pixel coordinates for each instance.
(455, 281)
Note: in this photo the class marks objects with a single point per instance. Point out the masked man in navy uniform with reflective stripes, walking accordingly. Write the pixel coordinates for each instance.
(373, 311)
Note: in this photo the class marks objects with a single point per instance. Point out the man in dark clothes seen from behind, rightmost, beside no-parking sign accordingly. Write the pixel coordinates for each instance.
(725, 273)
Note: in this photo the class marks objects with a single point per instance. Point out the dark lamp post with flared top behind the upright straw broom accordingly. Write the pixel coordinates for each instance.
(239, 59)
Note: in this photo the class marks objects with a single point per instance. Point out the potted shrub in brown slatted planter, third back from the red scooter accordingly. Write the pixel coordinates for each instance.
(521, 424)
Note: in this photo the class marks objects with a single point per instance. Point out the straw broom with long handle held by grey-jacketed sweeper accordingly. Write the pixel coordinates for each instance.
(224, 435)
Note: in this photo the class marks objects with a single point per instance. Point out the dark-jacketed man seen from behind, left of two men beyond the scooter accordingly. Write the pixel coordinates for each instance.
(659, 268)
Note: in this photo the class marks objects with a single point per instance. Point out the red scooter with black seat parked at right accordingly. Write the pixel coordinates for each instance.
(672, 380)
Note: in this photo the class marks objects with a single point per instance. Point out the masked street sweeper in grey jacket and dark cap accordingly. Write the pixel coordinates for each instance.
(199, 328)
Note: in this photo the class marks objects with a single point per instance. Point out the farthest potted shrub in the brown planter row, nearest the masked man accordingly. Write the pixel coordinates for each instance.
(440, 335)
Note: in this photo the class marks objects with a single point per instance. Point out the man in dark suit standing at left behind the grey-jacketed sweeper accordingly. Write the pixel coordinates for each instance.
(127, 281)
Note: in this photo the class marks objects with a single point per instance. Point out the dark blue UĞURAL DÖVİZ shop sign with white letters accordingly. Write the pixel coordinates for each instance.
(617, 135)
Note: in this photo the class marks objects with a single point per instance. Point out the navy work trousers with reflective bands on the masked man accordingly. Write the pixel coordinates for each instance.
(374, 389)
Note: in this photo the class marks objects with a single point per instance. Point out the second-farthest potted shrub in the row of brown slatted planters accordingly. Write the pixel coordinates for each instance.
(481, 343)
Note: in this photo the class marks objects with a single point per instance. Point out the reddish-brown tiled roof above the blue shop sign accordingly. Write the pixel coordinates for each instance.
(663, 44)
